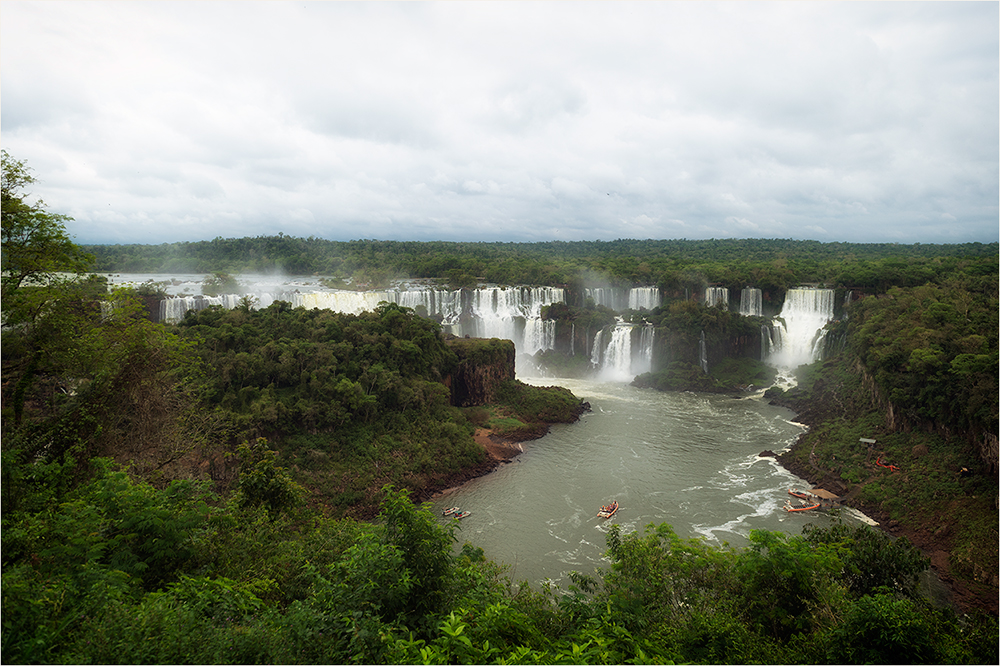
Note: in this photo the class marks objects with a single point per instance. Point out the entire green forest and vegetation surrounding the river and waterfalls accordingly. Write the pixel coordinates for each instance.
(244, 486)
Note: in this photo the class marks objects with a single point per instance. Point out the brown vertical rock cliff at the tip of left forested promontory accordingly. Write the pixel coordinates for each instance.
(483, 364)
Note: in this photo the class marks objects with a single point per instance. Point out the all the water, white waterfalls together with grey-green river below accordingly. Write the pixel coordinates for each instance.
(687, 459)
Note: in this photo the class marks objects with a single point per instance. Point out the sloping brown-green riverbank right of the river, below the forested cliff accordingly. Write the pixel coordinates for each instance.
(924, 499)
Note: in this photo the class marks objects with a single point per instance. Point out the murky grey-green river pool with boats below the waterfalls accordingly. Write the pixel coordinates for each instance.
(687, 459)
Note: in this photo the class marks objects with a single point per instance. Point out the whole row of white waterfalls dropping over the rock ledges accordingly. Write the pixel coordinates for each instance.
(617, 353)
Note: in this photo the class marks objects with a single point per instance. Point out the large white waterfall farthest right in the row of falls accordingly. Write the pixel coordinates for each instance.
(799, 339)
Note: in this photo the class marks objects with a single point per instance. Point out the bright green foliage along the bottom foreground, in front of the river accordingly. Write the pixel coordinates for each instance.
(120, 572)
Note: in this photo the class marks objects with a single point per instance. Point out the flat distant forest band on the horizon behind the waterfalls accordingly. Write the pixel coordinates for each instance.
(672, 265)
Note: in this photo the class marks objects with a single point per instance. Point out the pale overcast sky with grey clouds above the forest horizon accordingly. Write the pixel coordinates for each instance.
(173, 121)
